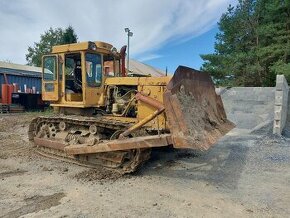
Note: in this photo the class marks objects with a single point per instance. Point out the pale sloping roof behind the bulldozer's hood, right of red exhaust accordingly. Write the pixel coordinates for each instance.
(139, 68)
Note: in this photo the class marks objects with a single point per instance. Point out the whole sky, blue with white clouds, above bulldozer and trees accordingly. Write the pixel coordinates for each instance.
(166, 33)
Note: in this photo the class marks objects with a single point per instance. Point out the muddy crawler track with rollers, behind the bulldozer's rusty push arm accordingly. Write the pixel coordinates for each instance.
(60, 131)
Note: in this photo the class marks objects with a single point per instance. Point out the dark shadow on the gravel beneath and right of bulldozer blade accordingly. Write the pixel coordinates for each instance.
(221, 165)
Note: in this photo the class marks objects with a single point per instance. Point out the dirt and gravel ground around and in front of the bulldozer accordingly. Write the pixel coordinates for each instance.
(244, 175)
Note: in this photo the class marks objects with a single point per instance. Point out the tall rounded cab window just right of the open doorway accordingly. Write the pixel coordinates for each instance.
(94, 69)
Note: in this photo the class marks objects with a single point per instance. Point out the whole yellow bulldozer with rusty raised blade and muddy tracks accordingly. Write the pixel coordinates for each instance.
(103, 116)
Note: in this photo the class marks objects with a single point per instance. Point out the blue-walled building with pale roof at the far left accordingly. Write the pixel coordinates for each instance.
(20, 74)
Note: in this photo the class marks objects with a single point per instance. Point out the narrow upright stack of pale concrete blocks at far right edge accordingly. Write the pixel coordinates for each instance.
(281, 104)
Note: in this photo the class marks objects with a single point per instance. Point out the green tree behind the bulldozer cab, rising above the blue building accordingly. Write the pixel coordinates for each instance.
(51, 37)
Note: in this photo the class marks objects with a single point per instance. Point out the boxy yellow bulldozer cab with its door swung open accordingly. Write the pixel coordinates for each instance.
(73, 75)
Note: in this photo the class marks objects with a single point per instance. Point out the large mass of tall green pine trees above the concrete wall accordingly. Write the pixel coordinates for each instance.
(253, 44)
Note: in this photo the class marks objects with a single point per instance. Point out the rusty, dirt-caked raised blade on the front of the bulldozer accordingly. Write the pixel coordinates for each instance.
(195, 112)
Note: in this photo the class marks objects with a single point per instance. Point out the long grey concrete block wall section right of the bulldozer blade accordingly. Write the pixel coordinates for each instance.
(248, 107)
